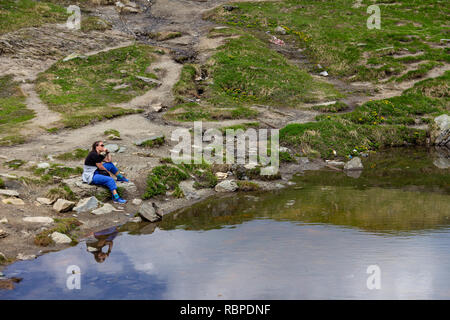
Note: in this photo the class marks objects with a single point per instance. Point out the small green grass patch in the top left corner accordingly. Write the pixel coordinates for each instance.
(27, 13)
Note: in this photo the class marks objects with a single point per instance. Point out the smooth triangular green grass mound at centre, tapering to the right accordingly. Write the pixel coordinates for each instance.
(245, 71)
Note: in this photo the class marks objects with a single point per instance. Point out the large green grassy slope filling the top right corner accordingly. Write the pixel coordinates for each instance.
(335, 35)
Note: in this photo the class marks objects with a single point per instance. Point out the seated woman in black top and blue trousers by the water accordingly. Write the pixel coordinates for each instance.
(99, 170)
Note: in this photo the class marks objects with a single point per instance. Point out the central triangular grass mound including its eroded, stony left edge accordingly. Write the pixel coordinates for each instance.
(245, 71)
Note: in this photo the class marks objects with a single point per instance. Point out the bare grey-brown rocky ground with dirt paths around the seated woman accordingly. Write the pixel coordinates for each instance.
(25, 208)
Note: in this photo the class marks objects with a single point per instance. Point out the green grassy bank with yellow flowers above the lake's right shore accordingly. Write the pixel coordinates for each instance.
(375, 124)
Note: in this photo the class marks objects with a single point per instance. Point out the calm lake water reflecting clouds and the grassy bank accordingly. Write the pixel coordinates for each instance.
(314, 240)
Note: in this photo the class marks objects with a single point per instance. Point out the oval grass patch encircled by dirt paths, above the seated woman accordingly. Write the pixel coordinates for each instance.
(84, 90)
